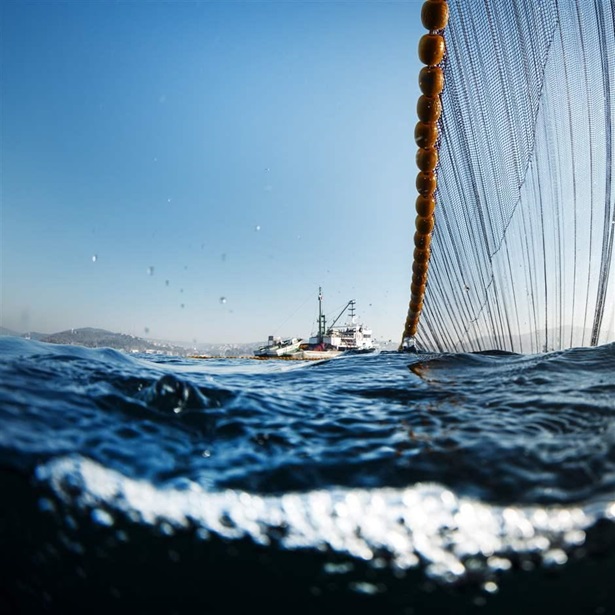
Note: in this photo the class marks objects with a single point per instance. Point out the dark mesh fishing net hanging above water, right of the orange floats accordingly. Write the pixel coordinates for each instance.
(522, 248)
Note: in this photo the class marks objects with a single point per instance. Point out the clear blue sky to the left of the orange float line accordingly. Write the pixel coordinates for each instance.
(196, 170)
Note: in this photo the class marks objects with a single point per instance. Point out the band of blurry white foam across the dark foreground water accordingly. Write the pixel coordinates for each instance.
(426, 523)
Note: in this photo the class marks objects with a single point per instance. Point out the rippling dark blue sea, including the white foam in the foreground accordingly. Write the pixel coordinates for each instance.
(391, 483)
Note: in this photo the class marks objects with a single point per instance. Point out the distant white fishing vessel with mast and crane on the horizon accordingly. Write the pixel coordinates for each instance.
(330, 341)
